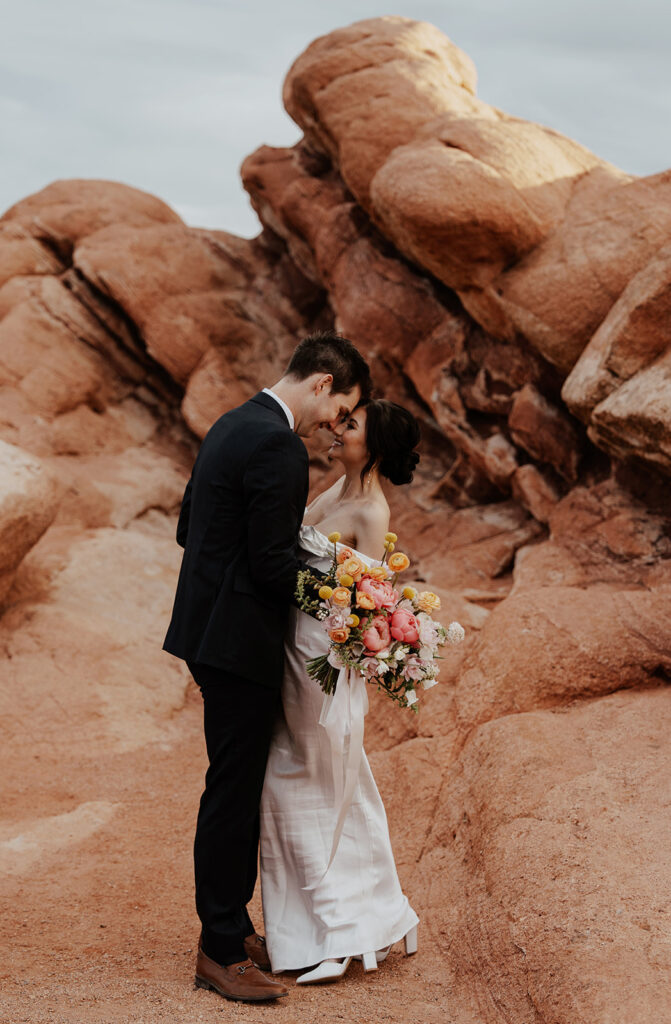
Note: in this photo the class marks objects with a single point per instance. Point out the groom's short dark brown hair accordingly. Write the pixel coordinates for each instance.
(328, 353)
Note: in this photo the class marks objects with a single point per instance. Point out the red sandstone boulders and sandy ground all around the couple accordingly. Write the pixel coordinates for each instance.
(520, 309)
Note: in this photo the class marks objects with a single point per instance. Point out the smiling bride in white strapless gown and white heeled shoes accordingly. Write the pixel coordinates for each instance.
(330, 887)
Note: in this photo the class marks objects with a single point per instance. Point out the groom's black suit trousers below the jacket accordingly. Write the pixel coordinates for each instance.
(239, 716)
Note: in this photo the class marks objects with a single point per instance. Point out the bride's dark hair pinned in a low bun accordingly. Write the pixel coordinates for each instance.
(392, 434)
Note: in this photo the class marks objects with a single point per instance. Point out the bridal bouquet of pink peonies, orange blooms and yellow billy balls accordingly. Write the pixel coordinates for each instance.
(387, 635)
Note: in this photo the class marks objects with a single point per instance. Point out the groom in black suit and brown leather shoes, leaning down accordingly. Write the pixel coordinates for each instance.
(239, 527)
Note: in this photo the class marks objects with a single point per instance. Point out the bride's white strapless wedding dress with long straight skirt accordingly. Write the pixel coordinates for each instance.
(358, 907)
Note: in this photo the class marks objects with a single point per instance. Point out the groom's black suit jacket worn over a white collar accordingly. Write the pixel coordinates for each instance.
(239, 527)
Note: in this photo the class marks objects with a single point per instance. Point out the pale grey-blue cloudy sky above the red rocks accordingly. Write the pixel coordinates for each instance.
(172, 96)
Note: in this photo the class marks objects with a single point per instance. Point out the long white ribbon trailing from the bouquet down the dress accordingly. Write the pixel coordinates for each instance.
(345, 782)
